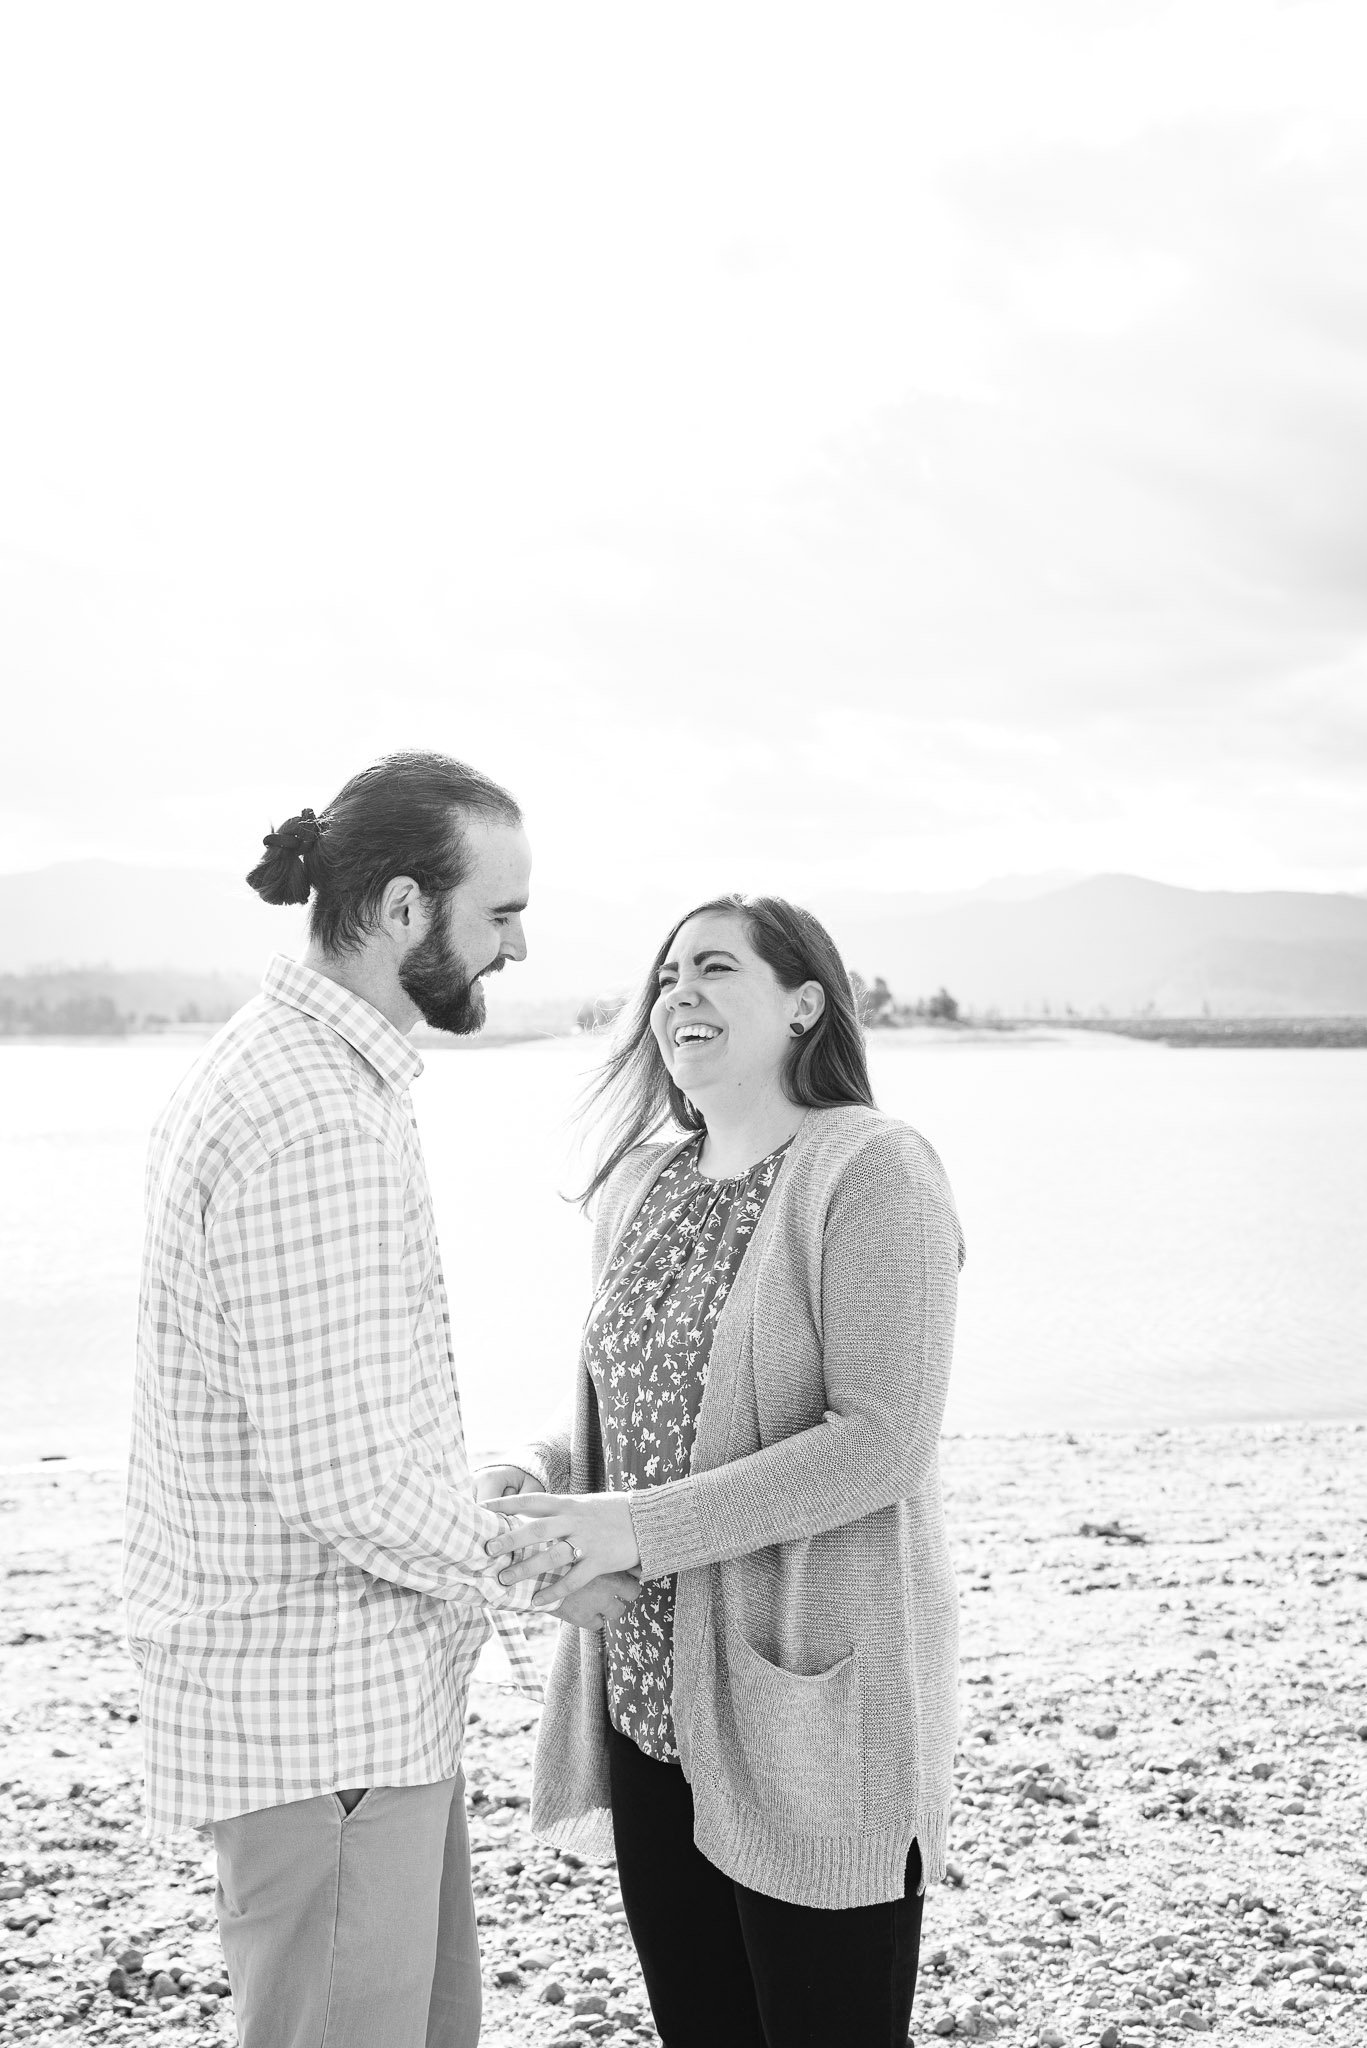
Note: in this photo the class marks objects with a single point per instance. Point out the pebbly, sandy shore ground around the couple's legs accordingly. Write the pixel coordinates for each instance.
(1161, 1822)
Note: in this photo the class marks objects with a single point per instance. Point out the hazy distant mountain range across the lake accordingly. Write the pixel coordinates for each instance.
(1020, 945)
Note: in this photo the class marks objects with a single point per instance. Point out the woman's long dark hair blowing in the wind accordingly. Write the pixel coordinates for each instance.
(634, 1093)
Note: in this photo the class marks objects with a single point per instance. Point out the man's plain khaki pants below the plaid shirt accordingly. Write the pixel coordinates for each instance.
(351, 1930)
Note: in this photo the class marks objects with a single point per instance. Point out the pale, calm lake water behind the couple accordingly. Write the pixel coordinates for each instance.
(1155, 1236)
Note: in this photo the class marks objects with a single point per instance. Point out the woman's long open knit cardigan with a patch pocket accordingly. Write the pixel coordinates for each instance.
(817, 1617)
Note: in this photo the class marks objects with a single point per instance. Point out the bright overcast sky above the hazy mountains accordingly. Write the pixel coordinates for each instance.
(794, 447)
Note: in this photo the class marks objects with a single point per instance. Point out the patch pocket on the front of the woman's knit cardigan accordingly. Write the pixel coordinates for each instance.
(798, 1752)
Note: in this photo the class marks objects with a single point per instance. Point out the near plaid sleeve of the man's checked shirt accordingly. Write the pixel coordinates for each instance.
(308, 1271)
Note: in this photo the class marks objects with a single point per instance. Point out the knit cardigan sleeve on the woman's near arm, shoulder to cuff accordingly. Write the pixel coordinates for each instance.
(890, 1267)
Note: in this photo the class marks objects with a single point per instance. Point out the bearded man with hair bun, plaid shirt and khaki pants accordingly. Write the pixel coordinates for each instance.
(304, 1566)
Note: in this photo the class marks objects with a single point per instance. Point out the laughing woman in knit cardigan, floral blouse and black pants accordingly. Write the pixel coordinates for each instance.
(765, 1736)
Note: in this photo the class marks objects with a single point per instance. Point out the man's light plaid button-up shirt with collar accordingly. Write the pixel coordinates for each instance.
(304, 1570)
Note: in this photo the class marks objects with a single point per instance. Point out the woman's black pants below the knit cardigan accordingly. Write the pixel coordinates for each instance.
(733, 1969)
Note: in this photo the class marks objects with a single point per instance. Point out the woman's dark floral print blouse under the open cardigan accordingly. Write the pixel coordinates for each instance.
(647, 1347)
